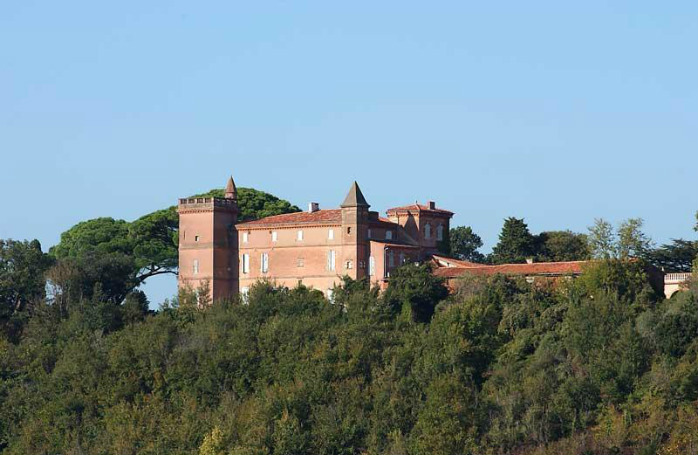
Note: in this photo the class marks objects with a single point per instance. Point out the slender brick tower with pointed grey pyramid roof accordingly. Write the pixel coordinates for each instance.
(355, 245)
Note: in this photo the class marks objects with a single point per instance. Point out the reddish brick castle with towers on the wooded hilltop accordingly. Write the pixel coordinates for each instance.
(316, 247)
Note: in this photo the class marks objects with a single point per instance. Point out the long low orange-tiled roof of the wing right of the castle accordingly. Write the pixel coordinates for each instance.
(539, 268)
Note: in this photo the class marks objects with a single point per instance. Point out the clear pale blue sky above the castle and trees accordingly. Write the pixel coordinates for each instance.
(558, 112)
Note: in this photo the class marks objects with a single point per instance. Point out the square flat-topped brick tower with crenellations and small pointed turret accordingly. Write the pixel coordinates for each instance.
(208, 243)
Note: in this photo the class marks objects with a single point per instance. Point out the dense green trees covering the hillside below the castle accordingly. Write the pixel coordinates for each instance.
(600, 364)
